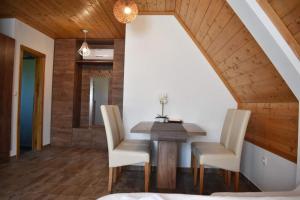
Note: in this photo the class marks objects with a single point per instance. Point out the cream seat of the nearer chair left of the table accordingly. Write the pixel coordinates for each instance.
(129, 154)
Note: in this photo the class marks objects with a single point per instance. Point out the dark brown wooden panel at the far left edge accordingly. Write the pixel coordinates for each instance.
(7, 50)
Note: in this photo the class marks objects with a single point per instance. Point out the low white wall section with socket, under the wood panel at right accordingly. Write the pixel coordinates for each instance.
(266, 170)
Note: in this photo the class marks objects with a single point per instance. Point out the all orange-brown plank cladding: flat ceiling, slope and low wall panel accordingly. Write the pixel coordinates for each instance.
(220, 35)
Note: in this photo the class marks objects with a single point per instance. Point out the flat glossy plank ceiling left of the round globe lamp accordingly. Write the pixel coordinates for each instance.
(66, 18)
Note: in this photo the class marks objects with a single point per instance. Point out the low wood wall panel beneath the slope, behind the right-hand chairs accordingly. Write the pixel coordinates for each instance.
(273, 127)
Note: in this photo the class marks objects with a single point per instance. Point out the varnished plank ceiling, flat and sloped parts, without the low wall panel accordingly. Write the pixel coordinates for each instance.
(215, 28)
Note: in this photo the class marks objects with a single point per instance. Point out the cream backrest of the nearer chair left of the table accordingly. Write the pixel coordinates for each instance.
(111, 126)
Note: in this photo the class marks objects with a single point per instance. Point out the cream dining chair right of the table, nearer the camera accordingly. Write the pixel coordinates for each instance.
(225, 157)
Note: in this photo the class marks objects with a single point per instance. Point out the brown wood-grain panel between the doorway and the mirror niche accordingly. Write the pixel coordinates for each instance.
(63, 92)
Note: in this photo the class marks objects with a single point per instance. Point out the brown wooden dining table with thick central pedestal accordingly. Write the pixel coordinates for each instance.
(168, 136)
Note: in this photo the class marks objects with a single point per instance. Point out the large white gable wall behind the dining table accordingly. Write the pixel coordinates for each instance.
(161, 57)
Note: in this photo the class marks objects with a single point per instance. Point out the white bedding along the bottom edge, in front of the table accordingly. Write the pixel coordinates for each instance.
(155, 196)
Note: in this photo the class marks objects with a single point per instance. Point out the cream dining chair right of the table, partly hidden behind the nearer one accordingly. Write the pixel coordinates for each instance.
(224, 140)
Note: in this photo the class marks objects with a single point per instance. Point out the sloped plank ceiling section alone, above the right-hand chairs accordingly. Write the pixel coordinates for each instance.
(236, 56)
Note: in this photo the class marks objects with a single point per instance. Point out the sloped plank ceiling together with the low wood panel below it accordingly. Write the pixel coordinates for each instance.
(246, 71)
